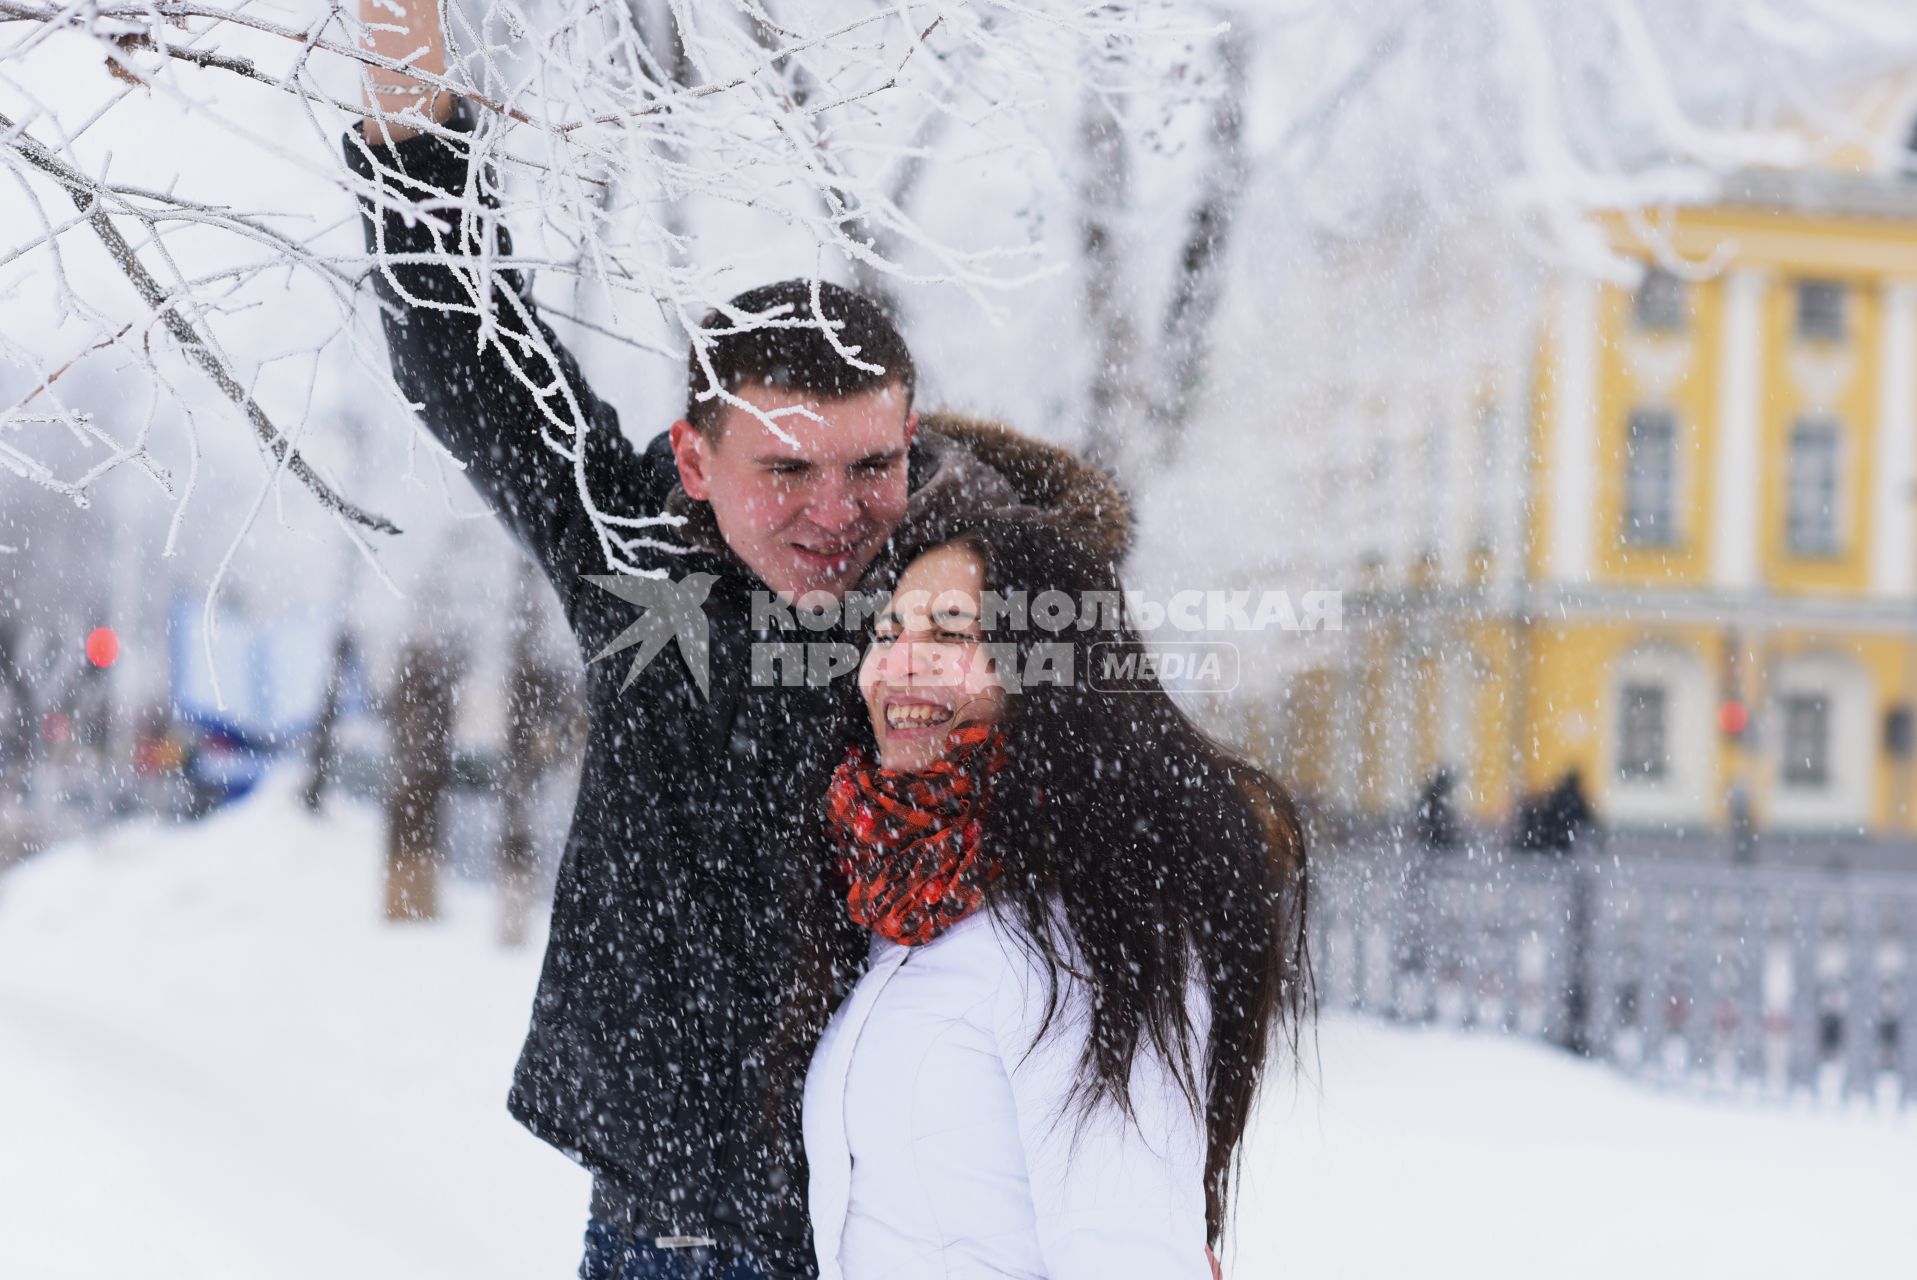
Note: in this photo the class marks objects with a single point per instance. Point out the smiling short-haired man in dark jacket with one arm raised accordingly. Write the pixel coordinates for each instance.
(662, 971)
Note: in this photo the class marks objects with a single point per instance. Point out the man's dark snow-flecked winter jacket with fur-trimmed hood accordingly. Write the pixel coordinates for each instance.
(658, 990)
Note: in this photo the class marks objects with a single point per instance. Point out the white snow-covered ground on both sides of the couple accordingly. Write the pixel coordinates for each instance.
(216, 1063)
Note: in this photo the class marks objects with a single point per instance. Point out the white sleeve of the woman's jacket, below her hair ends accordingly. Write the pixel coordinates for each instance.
(1117, 1199)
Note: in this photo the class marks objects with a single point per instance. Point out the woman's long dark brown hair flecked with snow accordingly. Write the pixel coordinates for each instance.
(1174, 863)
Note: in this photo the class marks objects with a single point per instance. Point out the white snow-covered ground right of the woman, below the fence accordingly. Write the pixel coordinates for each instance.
(1485, 1158)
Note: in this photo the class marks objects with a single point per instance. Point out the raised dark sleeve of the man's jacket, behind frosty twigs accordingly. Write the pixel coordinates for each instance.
(488, 375)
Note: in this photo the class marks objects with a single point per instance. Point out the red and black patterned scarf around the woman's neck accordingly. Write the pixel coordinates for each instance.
(910, 844)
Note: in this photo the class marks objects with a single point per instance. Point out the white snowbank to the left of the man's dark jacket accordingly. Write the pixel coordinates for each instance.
(216, 1061)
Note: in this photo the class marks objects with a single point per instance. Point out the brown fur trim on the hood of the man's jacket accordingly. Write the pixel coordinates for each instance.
(967, 469)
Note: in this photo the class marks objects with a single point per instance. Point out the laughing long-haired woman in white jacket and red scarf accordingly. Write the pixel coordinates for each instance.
(1088, 936)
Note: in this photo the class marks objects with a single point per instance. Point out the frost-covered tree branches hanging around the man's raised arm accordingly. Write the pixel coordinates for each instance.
(603, 135)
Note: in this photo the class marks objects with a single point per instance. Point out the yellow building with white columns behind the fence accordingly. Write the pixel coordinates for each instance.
(1707, 524)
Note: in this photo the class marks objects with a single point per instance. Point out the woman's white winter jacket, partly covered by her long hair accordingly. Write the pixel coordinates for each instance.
(940, 1141)
